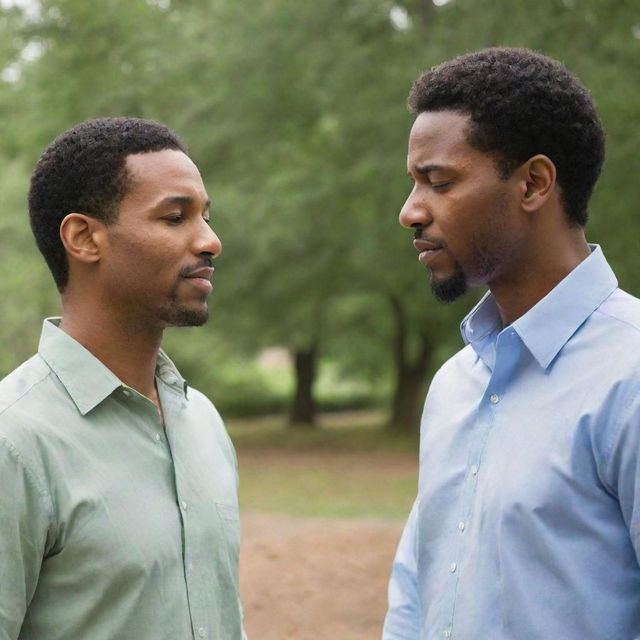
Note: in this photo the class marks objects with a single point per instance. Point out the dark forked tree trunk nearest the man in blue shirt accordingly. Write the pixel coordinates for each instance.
(410, 373)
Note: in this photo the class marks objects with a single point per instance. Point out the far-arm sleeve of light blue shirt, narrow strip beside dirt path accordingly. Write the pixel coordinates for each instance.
(402, 621)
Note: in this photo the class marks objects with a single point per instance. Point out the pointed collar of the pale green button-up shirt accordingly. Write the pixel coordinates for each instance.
(85, 378)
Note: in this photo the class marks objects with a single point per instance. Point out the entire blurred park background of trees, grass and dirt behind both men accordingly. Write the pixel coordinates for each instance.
(323, 335)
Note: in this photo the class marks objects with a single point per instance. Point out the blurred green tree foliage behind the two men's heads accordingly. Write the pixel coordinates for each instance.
(295, 115)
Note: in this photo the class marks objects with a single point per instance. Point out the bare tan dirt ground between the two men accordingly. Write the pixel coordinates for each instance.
(315, 579)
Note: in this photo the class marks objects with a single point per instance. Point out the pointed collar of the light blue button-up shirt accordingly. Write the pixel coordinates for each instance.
(547, 326)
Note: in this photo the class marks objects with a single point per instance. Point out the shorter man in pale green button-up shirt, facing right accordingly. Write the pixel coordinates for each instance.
(118, 500)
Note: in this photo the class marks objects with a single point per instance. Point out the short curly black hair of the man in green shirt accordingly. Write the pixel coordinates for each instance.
(84, 171)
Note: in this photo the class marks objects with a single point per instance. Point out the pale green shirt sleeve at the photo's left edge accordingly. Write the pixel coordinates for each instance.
(24, 520)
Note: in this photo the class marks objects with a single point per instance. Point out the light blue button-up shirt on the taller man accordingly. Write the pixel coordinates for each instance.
(527, 521)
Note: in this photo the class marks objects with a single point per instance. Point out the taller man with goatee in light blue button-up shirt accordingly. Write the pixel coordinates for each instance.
(526, 525)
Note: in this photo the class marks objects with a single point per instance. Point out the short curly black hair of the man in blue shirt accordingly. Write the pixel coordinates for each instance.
(522, 103)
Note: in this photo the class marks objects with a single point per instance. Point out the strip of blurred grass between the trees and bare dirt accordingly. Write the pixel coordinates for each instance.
(348, 467)
